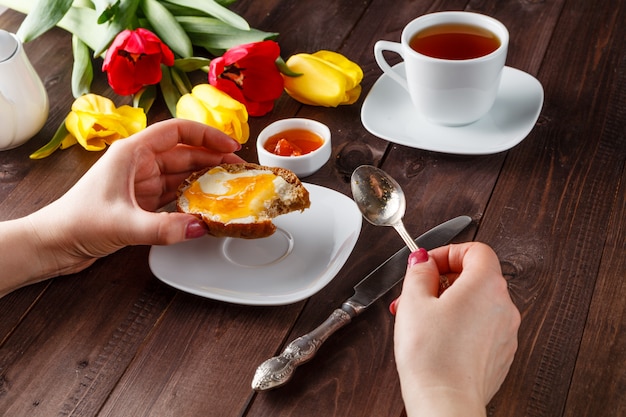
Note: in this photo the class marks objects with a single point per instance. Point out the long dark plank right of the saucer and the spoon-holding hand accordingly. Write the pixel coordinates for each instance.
(556, 193)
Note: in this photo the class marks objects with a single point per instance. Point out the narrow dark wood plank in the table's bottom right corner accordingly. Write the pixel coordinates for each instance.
(599, 379)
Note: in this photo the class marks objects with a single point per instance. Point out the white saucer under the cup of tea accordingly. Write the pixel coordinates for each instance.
(388, 113)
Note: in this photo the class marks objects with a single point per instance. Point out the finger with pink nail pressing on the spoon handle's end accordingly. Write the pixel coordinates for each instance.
(421, 279)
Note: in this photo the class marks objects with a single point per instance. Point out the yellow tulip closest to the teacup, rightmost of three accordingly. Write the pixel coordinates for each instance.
(328, 79)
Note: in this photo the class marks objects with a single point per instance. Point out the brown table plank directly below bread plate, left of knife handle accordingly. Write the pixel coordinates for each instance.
(194, 345)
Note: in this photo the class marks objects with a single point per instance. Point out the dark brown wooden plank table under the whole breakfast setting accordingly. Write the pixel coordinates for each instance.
(115, 341)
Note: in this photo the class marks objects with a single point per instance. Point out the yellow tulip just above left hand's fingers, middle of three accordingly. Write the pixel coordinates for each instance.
(208, 105)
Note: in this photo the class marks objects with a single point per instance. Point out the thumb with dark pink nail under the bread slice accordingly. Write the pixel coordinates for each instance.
(166, 228)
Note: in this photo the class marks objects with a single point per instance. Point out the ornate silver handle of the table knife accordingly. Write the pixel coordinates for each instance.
(276, 371)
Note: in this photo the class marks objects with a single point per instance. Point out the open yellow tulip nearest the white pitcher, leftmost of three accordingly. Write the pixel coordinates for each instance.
(95, 122)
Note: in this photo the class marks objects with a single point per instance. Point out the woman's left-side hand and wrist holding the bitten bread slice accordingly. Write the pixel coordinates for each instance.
(114, 204)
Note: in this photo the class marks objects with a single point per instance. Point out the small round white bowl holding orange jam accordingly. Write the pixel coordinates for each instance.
(301, 165)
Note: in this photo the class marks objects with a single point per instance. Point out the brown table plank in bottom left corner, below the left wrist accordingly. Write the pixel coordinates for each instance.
(73, 345)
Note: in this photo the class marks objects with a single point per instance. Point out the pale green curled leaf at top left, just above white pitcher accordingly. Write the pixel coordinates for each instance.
(42, 17)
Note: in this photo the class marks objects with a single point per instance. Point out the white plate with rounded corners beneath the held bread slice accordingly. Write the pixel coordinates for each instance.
(300, 258)
